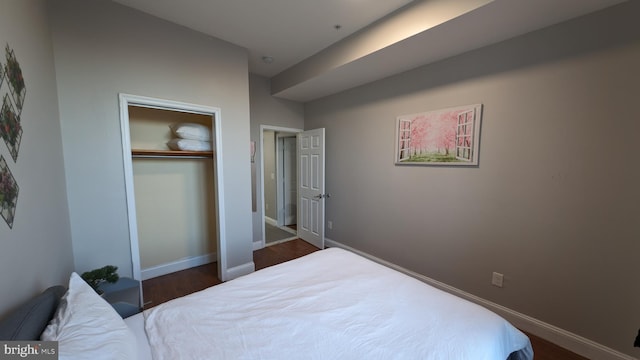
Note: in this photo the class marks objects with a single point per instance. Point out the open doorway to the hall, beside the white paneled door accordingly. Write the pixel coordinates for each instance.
(278, 184)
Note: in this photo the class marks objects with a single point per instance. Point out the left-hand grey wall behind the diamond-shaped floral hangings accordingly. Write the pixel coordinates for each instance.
(36, 252)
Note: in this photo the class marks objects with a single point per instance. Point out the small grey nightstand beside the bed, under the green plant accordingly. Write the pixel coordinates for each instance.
(123, 295)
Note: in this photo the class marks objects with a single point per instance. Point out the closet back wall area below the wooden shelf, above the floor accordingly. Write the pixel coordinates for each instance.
(175, 205)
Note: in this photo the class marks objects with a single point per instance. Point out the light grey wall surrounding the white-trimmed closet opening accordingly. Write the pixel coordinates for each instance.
(101, 49)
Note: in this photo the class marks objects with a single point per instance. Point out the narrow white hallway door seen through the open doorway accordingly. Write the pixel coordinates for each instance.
(290, 192)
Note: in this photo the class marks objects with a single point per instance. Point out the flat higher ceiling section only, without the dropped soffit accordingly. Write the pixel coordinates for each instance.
(287, 30)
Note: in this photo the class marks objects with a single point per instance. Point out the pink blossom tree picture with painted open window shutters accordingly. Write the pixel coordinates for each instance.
(442, 137)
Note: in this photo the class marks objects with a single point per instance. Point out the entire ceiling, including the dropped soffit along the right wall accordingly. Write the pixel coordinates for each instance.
(320, 47)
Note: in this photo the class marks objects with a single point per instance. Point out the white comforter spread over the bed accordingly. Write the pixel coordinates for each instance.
(331, 304)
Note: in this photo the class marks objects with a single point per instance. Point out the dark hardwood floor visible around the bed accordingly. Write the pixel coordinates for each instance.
(171, 286)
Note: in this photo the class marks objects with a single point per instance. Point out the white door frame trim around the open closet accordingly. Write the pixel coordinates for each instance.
(126, 100)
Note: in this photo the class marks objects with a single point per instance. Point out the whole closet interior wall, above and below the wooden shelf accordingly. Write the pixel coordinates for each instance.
(174, 196)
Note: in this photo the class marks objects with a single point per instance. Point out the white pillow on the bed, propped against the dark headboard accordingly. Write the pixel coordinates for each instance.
(87, 327)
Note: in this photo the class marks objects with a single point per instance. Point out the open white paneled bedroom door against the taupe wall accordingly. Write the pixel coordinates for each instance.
(311, 195)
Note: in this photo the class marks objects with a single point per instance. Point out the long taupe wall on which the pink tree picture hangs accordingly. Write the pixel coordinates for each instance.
(553, 204)
